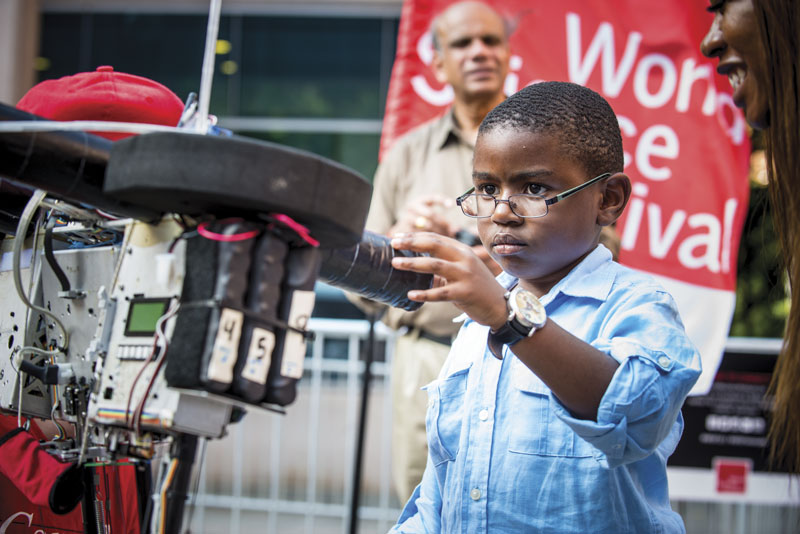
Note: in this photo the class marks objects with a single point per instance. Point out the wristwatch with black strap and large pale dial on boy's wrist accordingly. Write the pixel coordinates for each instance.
(525, 316)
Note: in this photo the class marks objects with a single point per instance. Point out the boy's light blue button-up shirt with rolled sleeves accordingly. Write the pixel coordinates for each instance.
(506, 456)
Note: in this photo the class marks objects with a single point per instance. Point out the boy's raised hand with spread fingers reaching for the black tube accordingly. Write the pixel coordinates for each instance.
(460, 276)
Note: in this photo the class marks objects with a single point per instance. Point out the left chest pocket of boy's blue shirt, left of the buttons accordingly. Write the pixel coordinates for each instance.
(444, 416)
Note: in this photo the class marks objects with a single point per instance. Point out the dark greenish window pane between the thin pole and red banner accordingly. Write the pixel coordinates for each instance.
(311, 67)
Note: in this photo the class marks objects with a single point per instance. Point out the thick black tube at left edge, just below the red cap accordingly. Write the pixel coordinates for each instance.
(68, 165)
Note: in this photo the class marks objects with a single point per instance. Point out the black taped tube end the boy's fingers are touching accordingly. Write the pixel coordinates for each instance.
(366, 269)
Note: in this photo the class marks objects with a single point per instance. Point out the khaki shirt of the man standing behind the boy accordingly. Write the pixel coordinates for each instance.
(434, 158)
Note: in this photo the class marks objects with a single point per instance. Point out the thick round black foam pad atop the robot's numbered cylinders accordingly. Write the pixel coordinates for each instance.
(234, 176)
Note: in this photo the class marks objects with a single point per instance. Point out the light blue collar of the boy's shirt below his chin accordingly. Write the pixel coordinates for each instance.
(590, 278)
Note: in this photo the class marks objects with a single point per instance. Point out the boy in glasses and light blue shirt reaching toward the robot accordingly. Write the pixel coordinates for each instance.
(559, 403)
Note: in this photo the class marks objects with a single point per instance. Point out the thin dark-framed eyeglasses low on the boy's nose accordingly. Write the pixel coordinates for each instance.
(481, 205)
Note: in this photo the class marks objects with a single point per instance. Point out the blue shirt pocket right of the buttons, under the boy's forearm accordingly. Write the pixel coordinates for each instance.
(537, 429)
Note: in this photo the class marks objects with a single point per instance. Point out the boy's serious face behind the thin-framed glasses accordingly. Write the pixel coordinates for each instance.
(538, 251)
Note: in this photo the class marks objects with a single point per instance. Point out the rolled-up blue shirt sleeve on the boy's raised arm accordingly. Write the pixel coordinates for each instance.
(658, 367)
